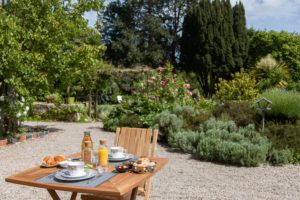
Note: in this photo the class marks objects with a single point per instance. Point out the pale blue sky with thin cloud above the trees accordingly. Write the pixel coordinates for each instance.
(260, 14)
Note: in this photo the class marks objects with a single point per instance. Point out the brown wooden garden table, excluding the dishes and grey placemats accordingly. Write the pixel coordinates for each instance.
(122, 186)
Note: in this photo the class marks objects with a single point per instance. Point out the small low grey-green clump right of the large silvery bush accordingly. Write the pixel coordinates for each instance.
(280, 157)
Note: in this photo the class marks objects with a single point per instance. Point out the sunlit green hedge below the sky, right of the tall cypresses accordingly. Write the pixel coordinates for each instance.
(283, 46)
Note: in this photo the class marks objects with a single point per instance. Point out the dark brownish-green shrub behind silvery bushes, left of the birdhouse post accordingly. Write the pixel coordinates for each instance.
(238, 111)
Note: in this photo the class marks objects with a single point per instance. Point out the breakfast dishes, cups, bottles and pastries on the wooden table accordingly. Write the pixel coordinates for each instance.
(95, 162)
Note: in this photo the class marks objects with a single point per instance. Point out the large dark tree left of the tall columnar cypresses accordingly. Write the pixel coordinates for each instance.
(143, 32)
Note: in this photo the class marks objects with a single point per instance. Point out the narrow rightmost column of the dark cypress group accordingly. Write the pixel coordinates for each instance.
(241, 45)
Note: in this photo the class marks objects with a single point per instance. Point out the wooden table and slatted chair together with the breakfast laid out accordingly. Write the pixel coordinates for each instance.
(119, 171)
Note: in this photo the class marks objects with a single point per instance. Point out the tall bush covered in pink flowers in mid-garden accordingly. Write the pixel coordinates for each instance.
(164, 86)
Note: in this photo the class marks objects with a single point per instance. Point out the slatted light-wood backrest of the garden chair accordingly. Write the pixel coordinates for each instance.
(137, 141)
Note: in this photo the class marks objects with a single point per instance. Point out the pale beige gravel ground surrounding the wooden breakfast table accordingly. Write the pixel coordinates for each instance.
(182, 178)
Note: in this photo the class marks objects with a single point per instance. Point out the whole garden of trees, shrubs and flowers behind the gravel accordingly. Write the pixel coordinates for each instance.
(200, 86)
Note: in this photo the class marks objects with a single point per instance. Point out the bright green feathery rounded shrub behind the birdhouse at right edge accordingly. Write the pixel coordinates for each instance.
(285, 104)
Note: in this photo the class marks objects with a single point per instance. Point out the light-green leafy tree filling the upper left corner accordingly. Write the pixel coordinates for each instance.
(43, 44)
